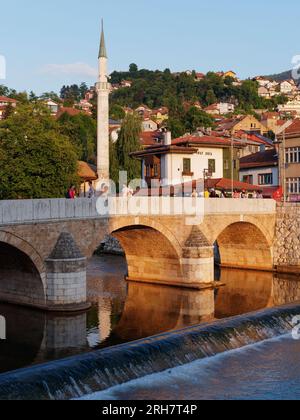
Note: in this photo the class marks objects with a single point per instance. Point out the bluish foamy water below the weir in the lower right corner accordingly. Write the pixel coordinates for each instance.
(267, 370)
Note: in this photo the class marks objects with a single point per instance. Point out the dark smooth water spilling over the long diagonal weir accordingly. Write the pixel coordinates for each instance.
(100, 370)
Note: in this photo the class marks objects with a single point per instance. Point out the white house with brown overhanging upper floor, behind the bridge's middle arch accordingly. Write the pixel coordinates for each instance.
(189, 158)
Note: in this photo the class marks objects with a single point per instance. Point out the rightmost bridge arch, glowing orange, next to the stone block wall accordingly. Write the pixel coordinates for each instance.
(244, 244)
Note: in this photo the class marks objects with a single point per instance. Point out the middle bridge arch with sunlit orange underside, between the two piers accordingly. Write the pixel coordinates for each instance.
(152, 252)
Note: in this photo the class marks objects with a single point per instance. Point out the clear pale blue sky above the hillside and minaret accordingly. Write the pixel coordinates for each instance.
(48, 44)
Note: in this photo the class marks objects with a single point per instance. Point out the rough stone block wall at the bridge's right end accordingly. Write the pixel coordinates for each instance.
(287, 238)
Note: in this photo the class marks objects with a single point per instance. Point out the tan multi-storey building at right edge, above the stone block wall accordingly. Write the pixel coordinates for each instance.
(289, 158)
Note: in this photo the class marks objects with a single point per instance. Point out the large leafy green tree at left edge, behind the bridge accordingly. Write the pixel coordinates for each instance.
(35, 160)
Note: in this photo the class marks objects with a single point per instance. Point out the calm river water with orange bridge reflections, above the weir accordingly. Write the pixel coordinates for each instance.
(124, 312)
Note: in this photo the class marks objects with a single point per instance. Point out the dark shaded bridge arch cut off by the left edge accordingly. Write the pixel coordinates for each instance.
(22, 272)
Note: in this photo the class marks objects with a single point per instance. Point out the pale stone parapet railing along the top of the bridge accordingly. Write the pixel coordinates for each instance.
(34, 211)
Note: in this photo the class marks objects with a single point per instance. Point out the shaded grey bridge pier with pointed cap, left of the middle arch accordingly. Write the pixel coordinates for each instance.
(66, 277)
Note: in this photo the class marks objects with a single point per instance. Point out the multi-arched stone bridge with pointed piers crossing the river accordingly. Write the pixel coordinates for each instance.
(45, 245)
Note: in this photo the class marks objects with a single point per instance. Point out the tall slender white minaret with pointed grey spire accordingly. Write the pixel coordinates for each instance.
(103, 89)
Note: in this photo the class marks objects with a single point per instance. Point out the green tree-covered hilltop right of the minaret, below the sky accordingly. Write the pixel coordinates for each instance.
(162, 88)
